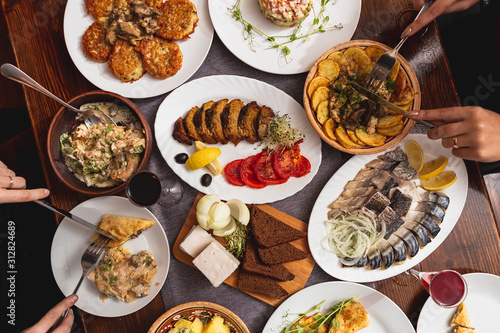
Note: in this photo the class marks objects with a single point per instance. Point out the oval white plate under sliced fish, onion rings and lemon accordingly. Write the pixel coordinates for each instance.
(330, 263)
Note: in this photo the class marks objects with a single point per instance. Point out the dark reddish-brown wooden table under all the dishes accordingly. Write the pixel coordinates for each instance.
(35, 29)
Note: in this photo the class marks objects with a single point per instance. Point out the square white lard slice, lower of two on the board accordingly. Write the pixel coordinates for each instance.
(216, 263)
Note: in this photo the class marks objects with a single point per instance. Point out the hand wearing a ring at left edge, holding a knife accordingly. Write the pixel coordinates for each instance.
(12, 188)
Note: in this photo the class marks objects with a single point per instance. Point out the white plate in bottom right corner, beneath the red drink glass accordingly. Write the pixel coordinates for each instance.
(483, 305)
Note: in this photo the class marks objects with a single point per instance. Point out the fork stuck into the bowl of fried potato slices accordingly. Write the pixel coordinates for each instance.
(387, 60)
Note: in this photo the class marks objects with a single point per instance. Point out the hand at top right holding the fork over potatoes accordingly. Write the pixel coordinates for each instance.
(437, 8)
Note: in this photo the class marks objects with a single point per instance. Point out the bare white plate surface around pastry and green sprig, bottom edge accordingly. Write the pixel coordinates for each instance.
(385, 316)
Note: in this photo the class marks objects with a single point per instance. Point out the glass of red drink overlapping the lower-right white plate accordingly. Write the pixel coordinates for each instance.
(447, 288)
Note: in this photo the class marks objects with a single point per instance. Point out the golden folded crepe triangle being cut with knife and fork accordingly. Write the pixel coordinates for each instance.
(123, 228)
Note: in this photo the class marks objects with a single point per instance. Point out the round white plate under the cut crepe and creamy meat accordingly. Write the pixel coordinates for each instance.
(71, 240)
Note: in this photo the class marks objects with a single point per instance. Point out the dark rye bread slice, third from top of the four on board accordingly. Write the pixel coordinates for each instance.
(252, 264)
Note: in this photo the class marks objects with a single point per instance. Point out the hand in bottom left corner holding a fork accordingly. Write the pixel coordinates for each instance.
(53, 315)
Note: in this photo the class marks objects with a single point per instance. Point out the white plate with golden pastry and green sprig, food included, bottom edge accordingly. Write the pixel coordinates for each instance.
(354, 306)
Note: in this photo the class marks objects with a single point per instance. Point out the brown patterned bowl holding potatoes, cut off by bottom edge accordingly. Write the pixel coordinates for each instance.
(201, 310)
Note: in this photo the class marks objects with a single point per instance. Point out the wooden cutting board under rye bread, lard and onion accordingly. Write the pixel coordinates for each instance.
(301, 268)
